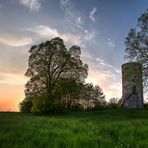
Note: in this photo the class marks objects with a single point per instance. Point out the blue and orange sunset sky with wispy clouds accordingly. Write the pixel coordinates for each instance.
(99, 27)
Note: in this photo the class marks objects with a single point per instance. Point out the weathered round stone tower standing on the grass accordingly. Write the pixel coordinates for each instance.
(132, 87)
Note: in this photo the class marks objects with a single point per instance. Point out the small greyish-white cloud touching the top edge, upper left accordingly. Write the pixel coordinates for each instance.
(31, 4)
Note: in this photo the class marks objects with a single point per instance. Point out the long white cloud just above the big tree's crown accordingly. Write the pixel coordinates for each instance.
(43, 32)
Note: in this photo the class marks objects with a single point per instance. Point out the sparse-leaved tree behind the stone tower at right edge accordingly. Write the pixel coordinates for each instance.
(137, 45)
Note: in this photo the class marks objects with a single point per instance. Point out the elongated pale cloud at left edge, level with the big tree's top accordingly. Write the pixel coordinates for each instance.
(14, 41)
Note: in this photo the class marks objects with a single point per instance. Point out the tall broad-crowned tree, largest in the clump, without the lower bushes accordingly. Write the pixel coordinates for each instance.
(48, 63)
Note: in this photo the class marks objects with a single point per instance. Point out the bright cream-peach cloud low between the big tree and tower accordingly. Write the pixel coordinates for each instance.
(107, 80)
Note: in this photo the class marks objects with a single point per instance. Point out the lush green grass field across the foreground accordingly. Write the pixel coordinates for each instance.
(98, 129)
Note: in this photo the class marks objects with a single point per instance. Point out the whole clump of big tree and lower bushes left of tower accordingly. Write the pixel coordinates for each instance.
(57, 80)
